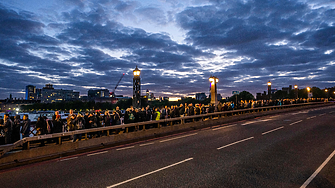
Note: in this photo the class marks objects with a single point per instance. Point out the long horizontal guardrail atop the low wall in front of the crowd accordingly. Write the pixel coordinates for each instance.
(141, 126)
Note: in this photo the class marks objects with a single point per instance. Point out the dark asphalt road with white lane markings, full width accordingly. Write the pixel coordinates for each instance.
(288, 150)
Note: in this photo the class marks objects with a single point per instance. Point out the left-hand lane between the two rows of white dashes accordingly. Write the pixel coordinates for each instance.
(127, 163)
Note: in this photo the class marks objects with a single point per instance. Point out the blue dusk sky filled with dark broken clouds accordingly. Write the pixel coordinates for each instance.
(177, 45)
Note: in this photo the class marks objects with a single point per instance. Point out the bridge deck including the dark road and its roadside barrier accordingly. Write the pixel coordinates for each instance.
(279, 146)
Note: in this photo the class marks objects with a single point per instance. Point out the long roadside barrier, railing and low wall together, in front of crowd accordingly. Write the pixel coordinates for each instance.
(69, 148)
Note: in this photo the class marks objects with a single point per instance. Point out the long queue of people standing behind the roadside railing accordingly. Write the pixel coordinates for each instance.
(11, 128)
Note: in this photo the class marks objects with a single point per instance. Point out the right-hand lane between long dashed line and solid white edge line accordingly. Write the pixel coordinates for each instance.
(282, 164)
